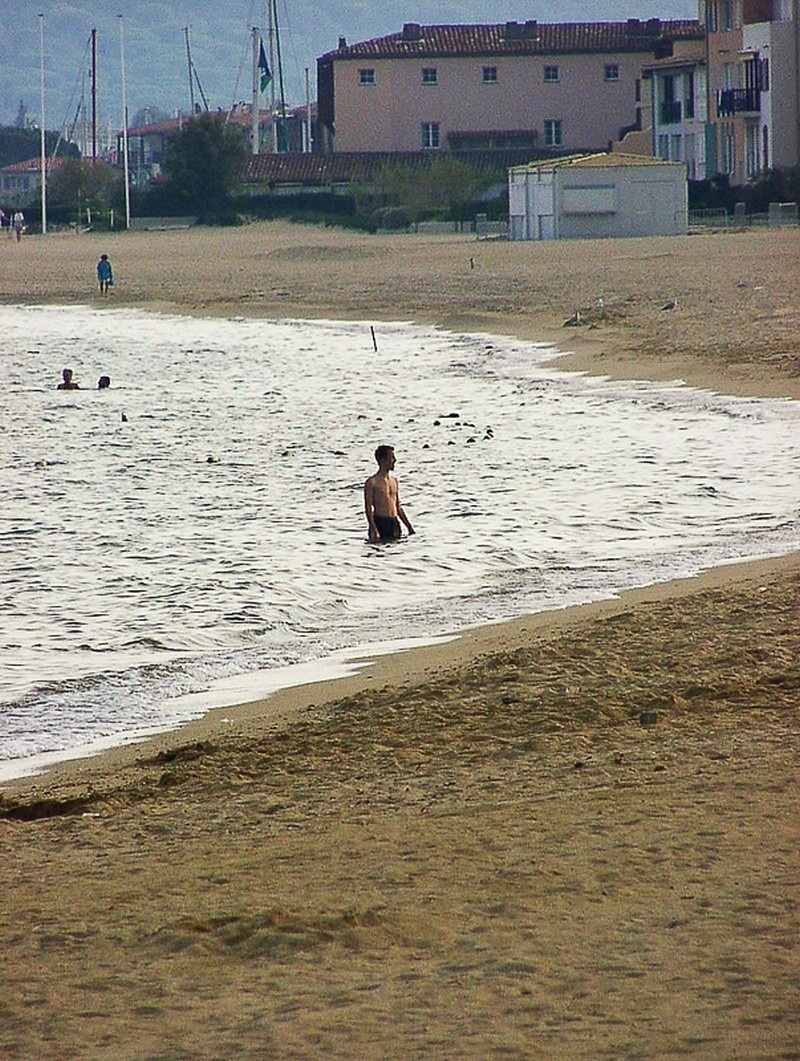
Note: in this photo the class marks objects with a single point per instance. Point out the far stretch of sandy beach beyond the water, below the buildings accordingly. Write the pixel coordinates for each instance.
(734, 329)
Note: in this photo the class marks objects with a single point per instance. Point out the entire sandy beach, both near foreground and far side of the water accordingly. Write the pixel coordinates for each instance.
(571, 836)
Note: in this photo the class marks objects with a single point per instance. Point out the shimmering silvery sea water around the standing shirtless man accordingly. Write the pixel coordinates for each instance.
(203, 518)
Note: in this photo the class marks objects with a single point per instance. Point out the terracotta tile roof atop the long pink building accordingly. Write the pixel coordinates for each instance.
(520, 39)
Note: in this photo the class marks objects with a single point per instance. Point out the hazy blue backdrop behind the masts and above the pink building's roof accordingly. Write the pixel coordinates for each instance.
(155, 44)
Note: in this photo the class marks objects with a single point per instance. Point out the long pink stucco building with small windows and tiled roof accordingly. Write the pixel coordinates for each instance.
(546, 86)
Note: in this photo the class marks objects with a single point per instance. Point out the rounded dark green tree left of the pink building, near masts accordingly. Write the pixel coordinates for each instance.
(205, 163)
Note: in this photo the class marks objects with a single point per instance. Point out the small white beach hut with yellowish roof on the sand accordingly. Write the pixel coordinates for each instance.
(596, 197)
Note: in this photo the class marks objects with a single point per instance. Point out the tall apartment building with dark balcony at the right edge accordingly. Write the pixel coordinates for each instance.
(754, 61)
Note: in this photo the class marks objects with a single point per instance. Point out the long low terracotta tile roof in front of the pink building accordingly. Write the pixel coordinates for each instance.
(353, 167)
